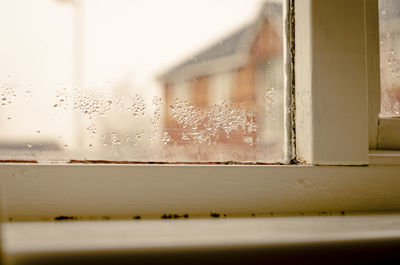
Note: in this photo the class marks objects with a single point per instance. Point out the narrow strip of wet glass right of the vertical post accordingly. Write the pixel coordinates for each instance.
(389, 27)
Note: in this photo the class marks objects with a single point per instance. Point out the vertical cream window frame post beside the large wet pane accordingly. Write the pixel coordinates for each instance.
(331, 83)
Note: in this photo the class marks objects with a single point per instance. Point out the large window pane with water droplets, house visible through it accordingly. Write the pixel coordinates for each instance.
(143, 80)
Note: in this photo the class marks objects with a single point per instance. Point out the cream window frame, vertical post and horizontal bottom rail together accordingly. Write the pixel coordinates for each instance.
(335, 65)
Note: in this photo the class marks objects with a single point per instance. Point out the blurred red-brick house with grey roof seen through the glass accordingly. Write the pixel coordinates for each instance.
(244, 70)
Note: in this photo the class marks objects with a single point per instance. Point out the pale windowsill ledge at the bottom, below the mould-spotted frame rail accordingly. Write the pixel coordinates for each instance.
(93, 242)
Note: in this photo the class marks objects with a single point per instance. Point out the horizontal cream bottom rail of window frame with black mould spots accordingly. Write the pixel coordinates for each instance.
(90, 192)
